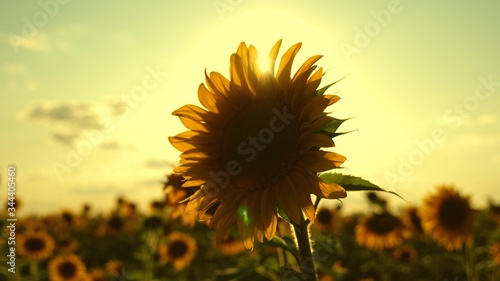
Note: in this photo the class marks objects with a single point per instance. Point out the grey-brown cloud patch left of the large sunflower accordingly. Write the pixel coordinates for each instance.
(72, 121)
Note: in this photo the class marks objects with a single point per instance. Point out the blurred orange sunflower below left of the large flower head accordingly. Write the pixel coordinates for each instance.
(179, 250)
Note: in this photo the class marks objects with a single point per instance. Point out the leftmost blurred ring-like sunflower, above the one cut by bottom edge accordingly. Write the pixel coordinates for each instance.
(35, 245)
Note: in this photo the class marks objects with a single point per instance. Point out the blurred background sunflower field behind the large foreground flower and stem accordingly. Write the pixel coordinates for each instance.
(443, 239)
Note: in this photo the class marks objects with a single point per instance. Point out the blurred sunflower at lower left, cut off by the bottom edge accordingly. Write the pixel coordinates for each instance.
(67, 267)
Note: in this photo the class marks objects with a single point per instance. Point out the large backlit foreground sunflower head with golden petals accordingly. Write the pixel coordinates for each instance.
(257, 144)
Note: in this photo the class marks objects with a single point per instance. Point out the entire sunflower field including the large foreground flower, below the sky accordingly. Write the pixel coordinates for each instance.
(247, 202)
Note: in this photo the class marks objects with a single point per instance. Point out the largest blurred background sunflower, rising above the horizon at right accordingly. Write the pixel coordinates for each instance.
(448, 218)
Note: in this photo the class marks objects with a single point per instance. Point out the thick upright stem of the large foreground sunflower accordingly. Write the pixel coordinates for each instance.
(306, 261)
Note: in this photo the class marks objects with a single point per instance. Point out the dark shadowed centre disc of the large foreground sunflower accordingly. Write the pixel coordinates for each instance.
(261, 145)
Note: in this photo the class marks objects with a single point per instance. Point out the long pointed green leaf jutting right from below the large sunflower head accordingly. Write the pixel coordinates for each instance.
(352, 183)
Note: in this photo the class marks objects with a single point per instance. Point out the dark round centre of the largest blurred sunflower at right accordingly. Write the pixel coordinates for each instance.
(453, 213)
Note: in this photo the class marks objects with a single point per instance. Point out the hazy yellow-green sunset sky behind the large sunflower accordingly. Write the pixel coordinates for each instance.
(87, 90)
